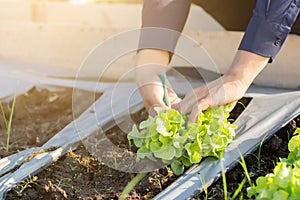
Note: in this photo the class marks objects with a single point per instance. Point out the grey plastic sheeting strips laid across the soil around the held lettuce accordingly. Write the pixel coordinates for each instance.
(259, 118)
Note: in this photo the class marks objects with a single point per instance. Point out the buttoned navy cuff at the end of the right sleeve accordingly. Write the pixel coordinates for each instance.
(263, 37)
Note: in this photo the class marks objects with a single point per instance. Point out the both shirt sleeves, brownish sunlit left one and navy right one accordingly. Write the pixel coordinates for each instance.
(266, 32)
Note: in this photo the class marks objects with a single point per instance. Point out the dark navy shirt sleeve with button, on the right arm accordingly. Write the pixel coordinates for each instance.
(269, 26)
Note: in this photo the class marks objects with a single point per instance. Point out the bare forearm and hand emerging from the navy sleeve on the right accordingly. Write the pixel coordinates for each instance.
(226, 89)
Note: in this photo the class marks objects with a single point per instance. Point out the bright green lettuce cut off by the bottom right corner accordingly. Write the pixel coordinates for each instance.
(284, 182)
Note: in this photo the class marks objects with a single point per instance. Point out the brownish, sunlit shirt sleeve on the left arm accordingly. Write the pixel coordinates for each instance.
(162, 23)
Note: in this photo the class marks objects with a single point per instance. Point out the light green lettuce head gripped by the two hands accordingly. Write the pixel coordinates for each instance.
(170, 138)
